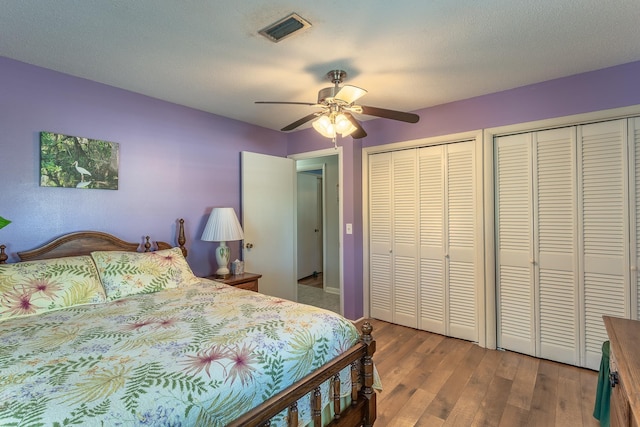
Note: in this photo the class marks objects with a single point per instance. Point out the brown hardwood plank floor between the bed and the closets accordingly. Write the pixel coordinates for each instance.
(432, 380)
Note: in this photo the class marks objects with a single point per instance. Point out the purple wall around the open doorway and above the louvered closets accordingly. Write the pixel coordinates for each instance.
(593, 91)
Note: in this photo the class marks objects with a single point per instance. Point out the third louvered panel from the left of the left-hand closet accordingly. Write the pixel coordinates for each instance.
(433, 303)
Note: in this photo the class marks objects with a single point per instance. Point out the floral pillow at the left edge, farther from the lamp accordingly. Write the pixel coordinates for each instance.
(33, 287)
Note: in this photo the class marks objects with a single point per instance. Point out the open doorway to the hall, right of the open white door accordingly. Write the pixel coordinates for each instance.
(318, 241)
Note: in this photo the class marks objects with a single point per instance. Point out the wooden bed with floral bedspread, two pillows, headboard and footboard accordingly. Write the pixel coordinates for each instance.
(95, 330)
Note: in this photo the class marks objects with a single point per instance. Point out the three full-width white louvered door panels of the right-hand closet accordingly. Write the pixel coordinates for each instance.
(562, 202)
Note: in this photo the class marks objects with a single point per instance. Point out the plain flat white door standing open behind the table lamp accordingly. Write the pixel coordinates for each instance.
(269, 222)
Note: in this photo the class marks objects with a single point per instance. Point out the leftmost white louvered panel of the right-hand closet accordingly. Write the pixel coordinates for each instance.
(514, 244)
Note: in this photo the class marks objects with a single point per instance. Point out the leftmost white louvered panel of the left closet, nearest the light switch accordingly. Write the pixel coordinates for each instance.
(380, 237)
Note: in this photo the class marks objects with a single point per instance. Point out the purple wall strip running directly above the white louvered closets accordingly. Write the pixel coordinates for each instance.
(593, 91)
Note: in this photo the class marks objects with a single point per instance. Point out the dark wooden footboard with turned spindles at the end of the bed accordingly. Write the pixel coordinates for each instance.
(363, 402)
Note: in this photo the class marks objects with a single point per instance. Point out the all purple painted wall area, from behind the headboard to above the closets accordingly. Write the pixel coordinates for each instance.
(170, 154)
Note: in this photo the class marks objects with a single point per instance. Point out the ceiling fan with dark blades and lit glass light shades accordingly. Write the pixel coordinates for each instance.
(337, 106)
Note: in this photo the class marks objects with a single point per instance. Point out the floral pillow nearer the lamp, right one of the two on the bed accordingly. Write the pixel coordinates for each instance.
(127, 273)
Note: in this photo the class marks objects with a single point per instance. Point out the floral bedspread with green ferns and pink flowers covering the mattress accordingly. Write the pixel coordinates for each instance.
(200, 355)
